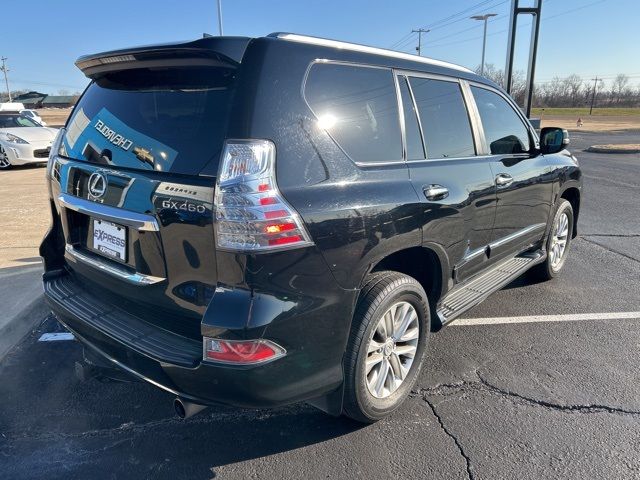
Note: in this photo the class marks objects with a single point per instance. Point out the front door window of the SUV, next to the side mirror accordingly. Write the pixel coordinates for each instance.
(503, 129)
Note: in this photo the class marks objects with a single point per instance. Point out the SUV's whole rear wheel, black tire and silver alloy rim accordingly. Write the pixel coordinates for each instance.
(386, 345)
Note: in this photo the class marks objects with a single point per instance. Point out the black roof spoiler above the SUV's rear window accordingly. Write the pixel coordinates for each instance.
(226, 52)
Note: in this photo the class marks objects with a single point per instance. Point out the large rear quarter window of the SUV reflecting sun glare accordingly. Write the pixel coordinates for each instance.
(358, 106)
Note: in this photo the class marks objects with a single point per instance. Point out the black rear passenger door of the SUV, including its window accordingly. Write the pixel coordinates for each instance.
(454, 185)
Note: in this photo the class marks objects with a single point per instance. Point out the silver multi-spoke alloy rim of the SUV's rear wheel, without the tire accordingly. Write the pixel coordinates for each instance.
(392, 349)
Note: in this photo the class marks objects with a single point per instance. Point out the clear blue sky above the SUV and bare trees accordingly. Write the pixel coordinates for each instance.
(586, 37)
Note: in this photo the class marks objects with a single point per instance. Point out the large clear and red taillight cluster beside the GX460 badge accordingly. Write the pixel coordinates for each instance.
(250, 213)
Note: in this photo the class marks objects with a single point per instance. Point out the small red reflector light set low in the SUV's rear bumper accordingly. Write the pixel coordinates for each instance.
(241, 352)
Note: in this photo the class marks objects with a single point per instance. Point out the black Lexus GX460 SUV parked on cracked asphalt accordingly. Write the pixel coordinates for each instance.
(262, 221)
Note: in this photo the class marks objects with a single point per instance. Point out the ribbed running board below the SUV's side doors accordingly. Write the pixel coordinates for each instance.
(471, 294)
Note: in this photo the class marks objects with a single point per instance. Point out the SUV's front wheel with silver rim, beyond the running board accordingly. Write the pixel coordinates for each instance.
(558, 242)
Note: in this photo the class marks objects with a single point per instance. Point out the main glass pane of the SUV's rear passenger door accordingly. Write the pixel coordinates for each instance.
(444, 117)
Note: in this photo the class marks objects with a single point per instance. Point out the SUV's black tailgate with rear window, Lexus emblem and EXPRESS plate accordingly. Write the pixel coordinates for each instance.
(135, 208)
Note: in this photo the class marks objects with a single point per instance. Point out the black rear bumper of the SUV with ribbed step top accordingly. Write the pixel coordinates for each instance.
(174, 363)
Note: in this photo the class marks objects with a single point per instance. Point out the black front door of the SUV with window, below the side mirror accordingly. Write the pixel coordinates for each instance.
(523, 183)
